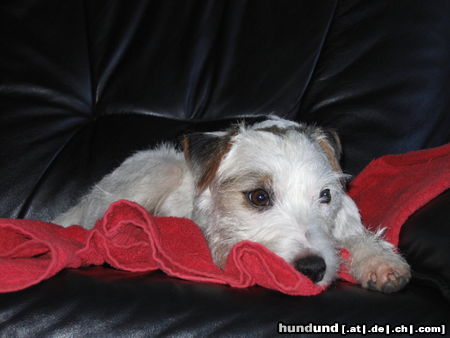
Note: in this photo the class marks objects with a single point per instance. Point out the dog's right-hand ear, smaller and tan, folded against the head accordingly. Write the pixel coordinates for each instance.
(330, 143)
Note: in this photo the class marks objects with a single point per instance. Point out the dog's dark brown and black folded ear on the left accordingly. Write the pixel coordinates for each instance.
(203, 153)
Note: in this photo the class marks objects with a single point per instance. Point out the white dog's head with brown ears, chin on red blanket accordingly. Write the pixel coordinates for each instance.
(276, 182)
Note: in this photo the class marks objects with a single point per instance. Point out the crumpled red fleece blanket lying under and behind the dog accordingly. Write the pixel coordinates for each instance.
(387, 192)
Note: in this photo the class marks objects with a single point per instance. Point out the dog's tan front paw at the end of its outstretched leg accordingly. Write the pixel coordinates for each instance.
(385, 273)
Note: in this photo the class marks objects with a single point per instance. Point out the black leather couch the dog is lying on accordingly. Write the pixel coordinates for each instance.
(83, 84)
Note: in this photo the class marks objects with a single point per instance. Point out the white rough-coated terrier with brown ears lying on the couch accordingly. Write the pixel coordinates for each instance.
(275, 182)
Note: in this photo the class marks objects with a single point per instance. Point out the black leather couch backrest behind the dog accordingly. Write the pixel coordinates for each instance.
(85, 83)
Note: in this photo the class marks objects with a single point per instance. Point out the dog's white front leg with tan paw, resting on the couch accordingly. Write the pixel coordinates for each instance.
(374, 262)
